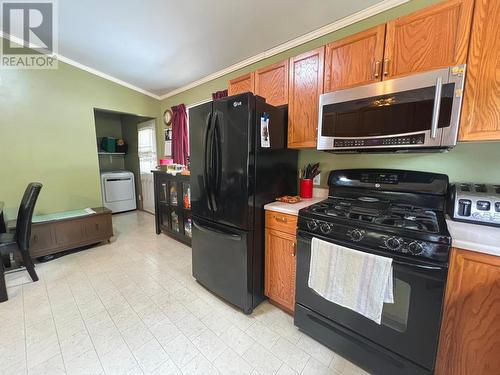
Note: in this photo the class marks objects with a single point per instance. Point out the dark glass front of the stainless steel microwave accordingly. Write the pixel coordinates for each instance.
(385, 115)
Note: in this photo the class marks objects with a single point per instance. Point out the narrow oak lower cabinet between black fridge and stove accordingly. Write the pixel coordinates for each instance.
(279, 284)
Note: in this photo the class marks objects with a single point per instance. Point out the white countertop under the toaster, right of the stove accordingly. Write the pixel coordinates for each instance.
(475, 237)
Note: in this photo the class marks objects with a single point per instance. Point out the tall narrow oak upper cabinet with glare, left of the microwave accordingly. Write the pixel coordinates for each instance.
(306, 85)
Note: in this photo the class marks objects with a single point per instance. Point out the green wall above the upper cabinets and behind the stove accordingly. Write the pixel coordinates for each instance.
(471, 161)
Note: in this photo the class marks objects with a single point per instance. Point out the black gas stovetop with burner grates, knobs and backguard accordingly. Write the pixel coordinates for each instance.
(409, 223)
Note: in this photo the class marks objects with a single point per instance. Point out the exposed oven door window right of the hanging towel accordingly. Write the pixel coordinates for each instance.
(395, 315)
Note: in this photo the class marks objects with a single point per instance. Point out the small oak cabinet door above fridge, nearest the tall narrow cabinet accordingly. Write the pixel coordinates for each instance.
(271, 82)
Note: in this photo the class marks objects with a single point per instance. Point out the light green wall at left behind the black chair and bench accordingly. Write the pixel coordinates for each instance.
(47, 134)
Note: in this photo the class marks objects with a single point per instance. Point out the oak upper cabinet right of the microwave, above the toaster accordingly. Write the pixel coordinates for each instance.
(481, 107)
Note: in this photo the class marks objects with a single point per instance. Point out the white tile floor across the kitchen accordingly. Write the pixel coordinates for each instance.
(132, 307)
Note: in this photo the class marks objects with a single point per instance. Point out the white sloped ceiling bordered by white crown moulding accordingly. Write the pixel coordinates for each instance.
(161, 45)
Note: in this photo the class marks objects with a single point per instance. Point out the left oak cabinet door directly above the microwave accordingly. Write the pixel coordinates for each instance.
(355, 60)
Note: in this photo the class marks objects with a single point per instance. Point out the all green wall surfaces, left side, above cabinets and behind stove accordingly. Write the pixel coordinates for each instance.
(47, 130)
